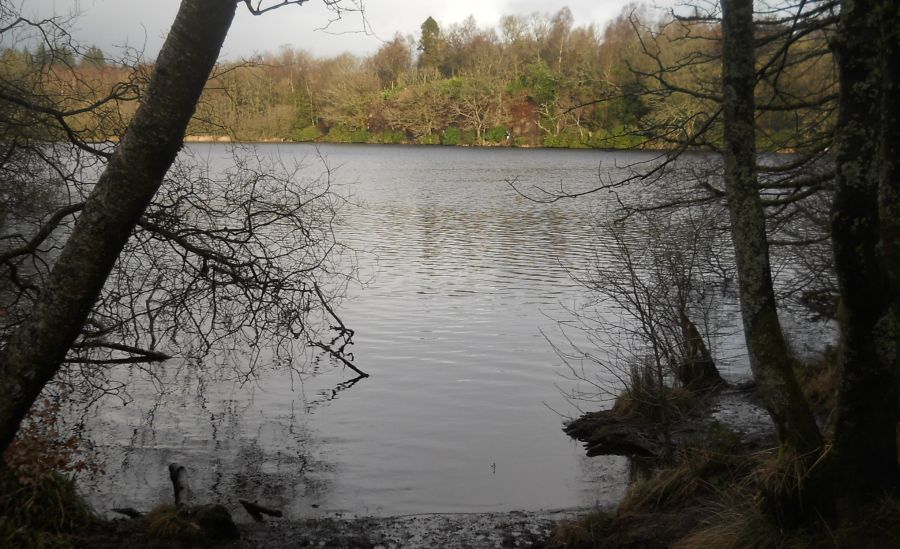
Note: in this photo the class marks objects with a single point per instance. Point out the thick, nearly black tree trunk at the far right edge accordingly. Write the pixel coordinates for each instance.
(865, 432)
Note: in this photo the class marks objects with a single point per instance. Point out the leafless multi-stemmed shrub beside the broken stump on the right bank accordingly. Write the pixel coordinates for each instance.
(643, 337)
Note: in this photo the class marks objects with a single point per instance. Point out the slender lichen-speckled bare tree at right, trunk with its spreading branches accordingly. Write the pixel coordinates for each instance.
(711, 78)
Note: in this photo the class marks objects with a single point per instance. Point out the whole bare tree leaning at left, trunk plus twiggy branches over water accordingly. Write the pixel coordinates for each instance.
(63, 315)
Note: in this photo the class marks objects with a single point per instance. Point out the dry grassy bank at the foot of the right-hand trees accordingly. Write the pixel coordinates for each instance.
(719, 497)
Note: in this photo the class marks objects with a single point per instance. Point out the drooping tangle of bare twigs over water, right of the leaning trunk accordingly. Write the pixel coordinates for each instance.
(222, 262)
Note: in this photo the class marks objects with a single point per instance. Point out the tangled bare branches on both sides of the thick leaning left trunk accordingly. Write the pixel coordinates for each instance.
(223, 260)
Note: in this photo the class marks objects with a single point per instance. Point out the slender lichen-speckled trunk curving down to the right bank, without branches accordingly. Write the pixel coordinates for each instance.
(769, 355)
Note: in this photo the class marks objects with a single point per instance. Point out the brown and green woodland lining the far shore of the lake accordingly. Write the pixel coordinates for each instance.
(535, 80)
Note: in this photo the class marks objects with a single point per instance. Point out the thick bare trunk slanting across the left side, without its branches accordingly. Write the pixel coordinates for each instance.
(153, 138)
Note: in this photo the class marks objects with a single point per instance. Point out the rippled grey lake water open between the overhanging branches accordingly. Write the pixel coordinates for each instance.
(463, 276)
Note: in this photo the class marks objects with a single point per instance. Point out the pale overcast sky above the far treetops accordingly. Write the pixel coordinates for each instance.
(143, 23)
